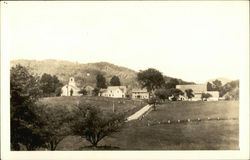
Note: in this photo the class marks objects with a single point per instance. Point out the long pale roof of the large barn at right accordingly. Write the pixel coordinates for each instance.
(197, 88)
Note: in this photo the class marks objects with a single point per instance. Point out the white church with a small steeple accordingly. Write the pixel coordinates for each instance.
(70, 89)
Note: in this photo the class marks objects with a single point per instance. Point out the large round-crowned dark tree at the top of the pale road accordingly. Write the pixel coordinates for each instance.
(151, 79)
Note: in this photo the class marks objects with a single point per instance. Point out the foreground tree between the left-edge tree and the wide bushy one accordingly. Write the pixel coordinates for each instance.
(56, 124)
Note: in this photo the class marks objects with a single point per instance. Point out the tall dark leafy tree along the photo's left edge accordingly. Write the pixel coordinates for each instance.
(25, 125)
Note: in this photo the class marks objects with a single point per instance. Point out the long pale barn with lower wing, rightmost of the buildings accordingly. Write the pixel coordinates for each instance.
(198, 89)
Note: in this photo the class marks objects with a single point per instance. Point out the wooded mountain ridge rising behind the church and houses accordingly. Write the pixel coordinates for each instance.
(84, 74)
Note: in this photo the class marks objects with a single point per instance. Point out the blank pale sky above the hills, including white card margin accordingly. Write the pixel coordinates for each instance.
(192, 40)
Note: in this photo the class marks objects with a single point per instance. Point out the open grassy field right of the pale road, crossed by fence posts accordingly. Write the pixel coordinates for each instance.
(206, 134)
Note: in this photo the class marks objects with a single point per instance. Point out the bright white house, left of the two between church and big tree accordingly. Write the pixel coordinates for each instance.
(114, 92)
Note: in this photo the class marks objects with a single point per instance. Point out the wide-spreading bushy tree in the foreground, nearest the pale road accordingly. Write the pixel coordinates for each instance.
(94, 125)
